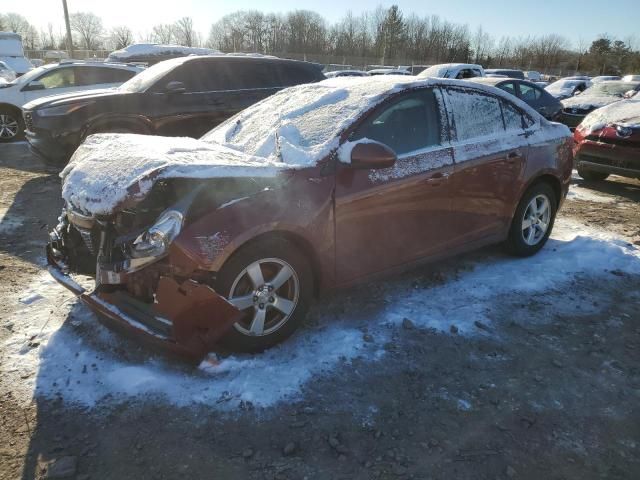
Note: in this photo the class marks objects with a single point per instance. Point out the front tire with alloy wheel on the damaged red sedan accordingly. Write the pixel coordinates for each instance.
(272, 282)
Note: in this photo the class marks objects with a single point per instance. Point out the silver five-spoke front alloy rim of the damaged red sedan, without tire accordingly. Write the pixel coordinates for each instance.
(267, 291)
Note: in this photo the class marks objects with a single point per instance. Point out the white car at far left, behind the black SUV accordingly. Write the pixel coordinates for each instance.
(53, 79)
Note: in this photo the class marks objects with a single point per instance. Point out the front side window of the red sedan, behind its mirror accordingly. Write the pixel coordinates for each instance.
(408, 124)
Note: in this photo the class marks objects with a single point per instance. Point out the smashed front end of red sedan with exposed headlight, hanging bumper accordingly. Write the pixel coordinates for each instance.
(143, 283)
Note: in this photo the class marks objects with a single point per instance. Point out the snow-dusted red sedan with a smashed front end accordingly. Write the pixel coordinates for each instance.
(230, 237)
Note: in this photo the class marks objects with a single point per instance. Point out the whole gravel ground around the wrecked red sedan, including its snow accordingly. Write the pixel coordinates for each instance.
(441, 373)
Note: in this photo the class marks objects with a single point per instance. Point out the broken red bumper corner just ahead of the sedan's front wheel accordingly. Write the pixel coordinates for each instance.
(199, 315)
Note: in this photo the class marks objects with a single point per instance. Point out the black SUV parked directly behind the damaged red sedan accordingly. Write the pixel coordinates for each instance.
(185, 96)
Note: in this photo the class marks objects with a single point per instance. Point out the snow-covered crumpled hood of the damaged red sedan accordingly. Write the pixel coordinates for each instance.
(109, 172)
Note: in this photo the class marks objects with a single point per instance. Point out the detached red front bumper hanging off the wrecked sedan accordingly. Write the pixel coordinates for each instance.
(180, 323)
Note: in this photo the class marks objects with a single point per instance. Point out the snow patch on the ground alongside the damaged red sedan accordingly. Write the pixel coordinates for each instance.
(56, 348)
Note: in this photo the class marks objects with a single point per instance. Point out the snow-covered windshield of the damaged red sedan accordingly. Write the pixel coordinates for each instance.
(301, 124)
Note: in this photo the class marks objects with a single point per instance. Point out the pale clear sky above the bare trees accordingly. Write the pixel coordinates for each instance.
(582, 21)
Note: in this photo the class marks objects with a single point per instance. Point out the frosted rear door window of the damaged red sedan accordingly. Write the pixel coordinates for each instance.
(474, 114)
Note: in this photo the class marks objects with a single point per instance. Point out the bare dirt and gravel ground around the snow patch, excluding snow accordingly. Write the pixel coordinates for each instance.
(547, 388)
